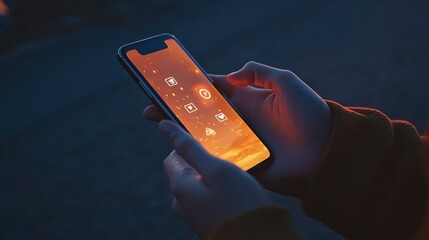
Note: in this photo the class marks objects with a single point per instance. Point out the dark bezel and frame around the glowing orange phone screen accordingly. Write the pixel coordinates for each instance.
(157, 99)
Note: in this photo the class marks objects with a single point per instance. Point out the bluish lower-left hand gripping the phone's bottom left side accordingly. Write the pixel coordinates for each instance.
(206, 190)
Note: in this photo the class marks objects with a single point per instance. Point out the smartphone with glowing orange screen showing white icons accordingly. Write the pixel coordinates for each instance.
(175, 82)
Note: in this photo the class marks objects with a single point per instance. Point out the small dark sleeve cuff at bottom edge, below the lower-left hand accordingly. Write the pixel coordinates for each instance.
(262, 223)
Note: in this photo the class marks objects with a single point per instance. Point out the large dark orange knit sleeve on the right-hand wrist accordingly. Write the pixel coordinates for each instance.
(371, 181)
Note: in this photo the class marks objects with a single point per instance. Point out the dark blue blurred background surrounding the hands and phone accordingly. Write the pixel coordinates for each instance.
(77, 161)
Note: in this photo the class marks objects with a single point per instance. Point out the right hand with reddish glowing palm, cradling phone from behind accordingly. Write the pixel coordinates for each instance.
(289, 116)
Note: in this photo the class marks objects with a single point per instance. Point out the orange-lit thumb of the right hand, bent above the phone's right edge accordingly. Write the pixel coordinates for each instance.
(261, 75)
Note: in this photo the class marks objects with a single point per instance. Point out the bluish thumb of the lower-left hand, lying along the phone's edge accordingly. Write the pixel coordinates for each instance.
(188, 148)
